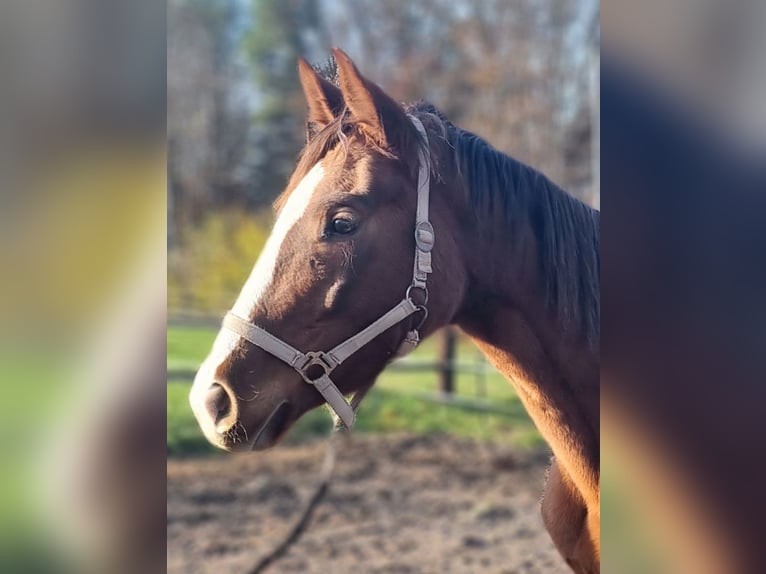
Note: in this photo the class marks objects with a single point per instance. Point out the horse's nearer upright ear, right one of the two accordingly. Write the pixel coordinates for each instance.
(378, 114)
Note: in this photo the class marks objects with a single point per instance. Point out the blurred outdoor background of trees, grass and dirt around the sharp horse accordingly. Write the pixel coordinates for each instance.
(521, 73)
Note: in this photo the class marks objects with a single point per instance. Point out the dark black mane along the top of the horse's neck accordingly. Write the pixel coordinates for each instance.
(567, 230)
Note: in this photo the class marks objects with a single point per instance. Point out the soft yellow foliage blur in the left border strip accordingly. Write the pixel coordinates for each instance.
(64, 247)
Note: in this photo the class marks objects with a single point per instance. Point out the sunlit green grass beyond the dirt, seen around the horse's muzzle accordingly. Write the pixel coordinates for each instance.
(396, 403)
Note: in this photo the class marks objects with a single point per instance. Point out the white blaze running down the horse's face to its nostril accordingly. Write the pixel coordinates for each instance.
(256, 285)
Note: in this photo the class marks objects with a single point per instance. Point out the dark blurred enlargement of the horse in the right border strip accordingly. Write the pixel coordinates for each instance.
(684, 319)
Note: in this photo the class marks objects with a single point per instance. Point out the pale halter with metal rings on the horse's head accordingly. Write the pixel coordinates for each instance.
(321, 363)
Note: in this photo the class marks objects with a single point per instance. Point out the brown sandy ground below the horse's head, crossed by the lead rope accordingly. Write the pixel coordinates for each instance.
(398, 504)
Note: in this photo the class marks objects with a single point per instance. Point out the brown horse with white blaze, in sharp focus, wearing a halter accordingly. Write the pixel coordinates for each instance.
(499, 250)
